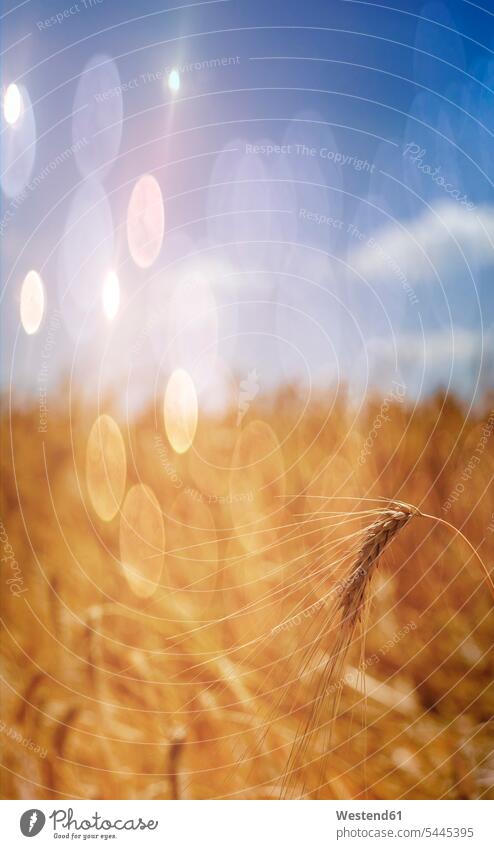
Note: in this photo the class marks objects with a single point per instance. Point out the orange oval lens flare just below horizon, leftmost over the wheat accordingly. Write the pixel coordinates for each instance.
(106, 467)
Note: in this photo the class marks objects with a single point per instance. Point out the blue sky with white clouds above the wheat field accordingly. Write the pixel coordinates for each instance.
(326, 172)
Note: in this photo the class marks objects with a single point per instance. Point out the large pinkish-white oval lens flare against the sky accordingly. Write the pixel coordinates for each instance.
(145, 221)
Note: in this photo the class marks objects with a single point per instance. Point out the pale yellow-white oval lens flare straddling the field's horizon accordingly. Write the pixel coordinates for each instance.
(180, 411)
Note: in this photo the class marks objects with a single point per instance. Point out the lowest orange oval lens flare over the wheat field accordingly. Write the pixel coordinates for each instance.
(142, 540)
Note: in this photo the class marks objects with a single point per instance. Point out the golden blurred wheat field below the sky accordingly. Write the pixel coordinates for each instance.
(167, 617)
